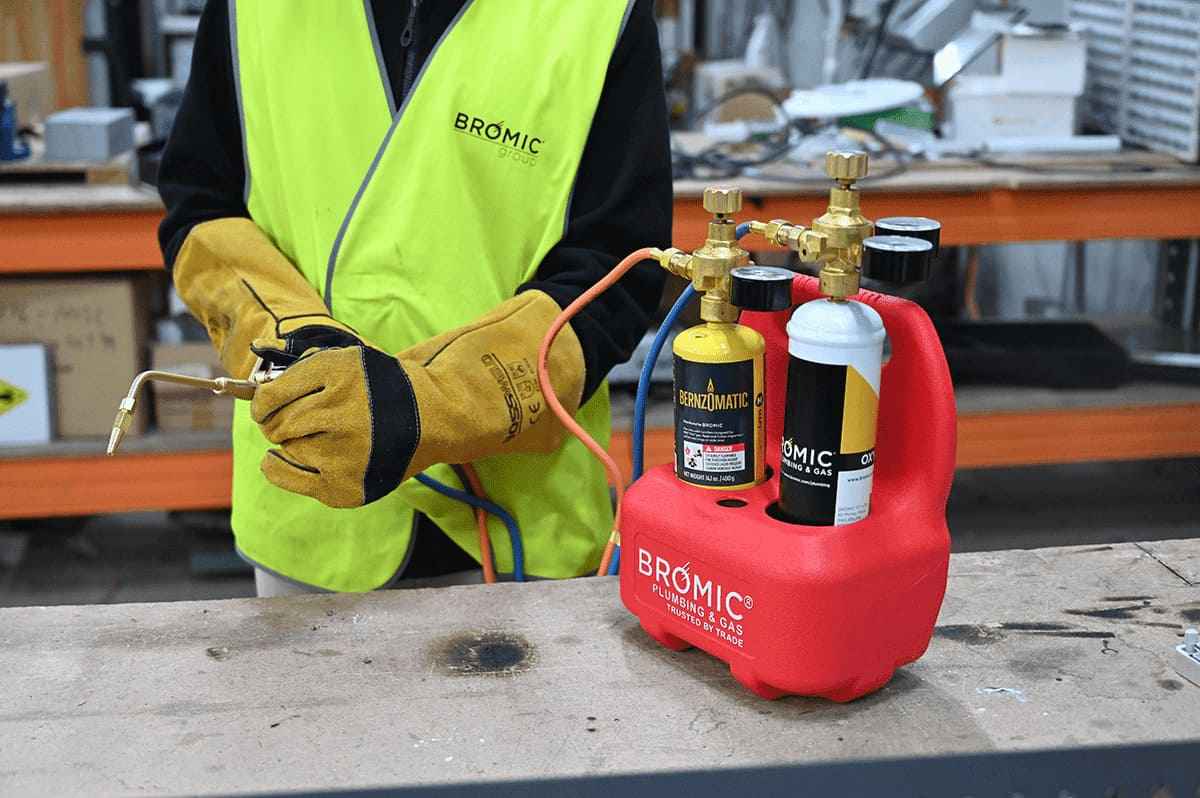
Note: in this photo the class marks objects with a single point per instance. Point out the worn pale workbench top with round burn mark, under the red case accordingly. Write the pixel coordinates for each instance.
(1035, 650)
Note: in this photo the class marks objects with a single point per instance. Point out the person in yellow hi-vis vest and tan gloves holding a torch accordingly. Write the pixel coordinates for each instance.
(397, 199)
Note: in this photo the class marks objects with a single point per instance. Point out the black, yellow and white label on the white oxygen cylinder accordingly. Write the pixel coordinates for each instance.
(821, 484)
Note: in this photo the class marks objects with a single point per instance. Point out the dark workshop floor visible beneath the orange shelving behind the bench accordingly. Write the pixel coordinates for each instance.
(152, 557)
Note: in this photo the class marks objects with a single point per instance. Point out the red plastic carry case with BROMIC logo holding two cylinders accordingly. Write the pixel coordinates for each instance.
(795, 610)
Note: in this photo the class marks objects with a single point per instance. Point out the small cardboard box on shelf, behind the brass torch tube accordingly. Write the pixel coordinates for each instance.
(179, 409)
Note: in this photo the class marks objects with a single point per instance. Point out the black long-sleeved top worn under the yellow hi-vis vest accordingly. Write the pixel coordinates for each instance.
(622, 195)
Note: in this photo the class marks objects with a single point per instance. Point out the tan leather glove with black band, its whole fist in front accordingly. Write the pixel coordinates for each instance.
(352, 424)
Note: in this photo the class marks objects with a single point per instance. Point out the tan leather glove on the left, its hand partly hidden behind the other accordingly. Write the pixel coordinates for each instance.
(245, 291)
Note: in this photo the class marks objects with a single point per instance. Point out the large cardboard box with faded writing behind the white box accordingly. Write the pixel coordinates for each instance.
(97, 332)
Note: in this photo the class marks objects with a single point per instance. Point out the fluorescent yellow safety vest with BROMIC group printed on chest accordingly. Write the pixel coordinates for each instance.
(413, 225)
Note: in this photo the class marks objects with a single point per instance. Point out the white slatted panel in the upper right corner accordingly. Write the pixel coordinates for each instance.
(1144, 71)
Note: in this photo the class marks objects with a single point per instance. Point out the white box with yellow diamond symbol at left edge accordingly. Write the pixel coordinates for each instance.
(27, 404)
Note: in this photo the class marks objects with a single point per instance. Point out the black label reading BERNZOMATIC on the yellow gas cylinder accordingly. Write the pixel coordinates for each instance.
(715, 423)
